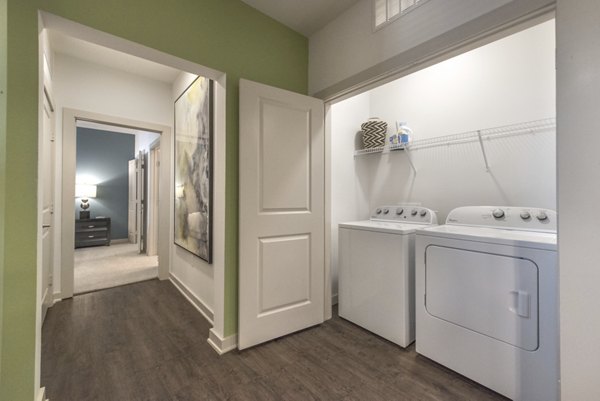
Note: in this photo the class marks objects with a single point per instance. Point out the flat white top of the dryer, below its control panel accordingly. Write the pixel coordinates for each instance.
(528, 239)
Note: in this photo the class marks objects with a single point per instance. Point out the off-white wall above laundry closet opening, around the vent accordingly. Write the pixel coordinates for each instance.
(347, 47)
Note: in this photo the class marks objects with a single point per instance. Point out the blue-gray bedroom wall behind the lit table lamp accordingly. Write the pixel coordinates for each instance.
(102, 159)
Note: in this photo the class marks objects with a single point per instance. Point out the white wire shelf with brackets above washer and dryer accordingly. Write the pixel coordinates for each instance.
(530, 127)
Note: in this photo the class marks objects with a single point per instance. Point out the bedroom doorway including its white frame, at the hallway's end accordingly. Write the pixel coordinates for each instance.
(110, 258)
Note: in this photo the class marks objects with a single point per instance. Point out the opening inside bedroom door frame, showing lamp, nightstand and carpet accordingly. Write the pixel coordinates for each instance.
(112, 219)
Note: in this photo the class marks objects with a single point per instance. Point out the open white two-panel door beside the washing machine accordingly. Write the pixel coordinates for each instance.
(282, 225)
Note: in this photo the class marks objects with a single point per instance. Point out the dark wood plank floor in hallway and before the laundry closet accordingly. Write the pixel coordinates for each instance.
(146, 342)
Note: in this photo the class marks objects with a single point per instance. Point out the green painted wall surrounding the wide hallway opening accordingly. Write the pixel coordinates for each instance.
(226, 35)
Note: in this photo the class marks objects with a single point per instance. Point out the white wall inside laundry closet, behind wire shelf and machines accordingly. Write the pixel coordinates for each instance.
(505, 82)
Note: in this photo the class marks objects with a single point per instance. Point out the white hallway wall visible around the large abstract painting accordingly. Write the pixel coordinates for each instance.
(194, 273)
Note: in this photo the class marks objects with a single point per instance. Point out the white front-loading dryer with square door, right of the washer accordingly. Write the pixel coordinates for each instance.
(487, 298)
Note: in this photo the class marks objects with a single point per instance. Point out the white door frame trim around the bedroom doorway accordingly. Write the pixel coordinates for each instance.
(70, 118)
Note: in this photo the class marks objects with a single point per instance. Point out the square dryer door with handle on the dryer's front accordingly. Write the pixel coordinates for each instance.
(494, 295)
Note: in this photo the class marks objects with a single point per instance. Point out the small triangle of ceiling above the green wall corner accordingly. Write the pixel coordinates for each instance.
(304, 16)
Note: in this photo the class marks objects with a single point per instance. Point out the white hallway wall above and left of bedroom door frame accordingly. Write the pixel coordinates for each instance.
(99, 89)
